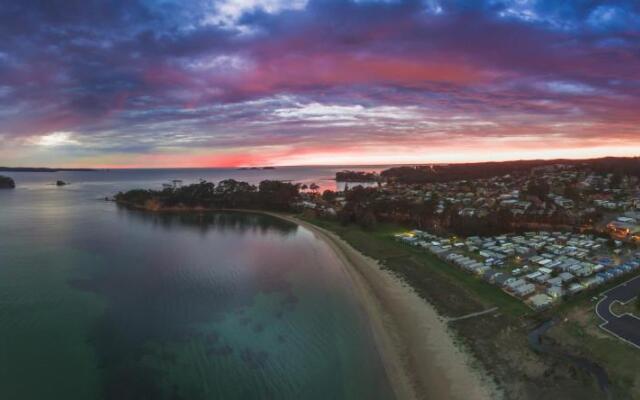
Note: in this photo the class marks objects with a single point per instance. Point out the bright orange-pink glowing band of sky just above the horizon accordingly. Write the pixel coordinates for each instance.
(391, 155)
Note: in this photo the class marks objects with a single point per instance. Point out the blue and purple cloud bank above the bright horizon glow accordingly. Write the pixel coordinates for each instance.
(121, 68)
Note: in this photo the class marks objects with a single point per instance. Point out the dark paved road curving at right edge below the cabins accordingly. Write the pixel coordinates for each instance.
(625, 327)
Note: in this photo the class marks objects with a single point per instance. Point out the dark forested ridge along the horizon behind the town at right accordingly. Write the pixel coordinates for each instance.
(453, 172)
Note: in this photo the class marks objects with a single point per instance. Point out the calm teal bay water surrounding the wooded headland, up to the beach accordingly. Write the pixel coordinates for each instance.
(98, 302)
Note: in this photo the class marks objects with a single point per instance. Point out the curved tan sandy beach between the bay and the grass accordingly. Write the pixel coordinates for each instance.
(417, 348)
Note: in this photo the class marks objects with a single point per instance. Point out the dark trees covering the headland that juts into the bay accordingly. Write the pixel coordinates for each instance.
(268, 195)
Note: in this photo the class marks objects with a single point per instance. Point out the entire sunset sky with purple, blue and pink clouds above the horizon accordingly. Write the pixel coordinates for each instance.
(226, 83)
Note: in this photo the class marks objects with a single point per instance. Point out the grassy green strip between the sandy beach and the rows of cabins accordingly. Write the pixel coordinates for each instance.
(499, 342)
